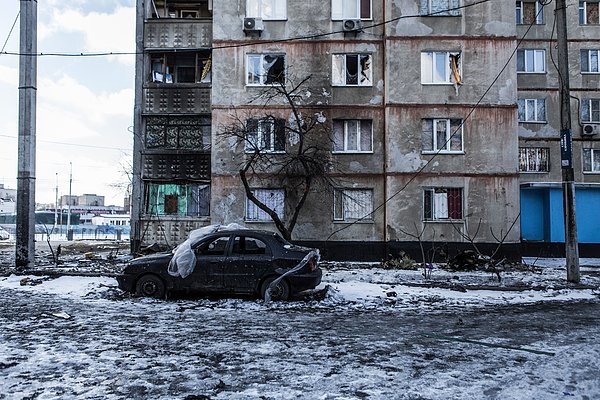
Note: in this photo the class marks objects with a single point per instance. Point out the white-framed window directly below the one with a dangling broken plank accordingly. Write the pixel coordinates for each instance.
(442, 135)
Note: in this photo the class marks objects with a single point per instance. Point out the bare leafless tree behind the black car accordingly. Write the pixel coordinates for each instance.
(292, 152)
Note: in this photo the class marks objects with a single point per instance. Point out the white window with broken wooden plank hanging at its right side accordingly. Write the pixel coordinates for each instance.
(440, 67)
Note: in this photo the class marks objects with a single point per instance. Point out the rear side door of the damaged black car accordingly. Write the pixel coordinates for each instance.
(250, 257)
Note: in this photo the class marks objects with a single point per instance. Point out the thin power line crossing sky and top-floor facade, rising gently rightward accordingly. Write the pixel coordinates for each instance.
(256, 42)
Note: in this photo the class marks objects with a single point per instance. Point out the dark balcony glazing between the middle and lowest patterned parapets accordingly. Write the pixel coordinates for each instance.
(178, 133)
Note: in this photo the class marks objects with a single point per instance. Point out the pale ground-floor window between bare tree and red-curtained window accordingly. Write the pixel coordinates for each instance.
(352, 204)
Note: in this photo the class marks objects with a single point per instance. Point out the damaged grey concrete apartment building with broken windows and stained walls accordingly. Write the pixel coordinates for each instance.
(426, 139)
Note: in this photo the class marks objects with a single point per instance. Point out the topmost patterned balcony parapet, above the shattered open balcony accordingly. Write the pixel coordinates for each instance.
(167, 33)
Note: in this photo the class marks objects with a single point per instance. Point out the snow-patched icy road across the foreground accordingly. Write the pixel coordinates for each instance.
(115, 347)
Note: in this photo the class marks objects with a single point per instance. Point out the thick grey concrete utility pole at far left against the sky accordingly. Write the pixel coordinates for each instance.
(25, 223)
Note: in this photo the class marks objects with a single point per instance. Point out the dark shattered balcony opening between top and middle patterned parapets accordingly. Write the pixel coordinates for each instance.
(181, 67)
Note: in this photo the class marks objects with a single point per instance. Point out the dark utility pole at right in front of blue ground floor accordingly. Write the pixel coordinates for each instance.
(566, 145)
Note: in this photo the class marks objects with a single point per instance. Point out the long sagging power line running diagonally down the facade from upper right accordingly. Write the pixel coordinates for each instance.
(420, 170)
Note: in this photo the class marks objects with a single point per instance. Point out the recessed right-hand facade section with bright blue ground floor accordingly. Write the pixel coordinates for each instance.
(542, 217)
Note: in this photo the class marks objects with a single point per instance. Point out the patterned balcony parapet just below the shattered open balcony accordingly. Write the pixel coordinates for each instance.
(176, 99)
